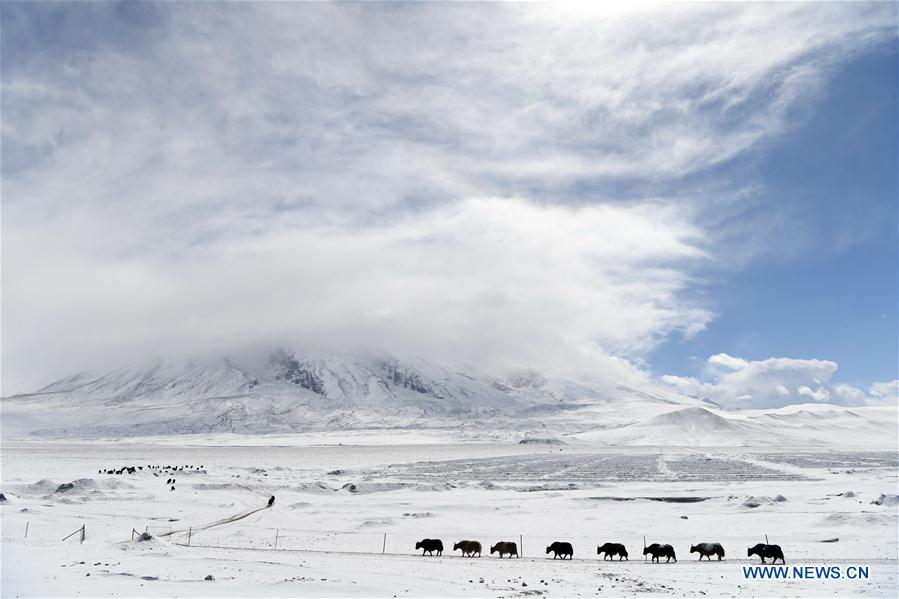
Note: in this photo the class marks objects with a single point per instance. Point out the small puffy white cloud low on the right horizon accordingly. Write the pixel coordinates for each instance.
(775, 382)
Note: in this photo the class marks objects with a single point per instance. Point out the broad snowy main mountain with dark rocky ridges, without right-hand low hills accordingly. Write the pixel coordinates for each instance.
(290, 392)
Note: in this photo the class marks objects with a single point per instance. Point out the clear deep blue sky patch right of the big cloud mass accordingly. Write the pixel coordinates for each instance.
(835, 293)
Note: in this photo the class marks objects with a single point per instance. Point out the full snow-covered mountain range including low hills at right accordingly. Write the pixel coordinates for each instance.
(290, 392)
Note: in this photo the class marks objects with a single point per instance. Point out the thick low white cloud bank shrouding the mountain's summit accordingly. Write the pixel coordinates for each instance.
(503, 282)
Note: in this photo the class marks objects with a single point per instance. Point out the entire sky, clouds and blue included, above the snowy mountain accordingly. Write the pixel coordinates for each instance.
(697, 196)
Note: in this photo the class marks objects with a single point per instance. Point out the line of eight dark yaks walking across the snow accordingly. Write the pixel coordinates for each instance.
(563, 550)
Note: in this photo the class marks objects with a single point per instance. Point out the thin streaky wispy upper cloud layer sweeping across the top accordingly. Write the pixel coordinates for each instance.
(357, 108)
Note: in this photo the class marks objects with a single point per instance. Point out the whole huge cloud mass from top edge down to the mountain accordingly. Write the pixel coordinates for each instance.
(466, 180)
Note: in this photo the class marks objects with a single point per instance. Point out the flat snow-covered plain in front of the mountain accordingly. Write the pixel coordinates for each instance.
(334, 505)
